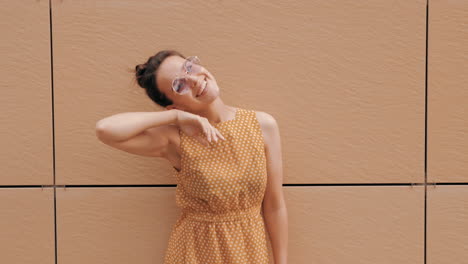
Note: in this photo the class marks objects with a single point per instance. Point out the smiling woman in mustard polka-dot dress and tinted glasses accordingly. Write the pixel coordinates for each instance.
(226, 160)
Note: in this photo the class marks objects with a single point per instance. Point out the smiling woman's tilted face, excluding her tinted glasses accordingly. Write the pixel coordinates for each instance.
(173, 66)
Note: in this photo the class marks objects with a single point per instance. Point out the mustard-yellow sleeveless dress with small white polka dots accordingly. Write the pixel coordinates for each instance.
(220, 191)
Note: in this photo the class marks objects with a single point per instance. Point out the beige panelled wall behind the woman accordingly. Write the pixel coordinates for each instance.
(344, 79)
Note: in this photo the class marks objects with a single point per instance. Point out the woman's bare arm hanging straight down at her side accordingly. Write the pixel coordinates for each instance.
(274, 206)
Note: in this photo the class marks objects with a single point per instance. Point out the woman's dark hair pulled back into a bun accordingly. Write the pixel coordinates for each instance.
(146, 76)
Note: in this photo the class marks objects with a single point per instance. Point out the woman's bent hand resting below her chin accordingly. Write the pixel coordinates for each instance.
(197, 127)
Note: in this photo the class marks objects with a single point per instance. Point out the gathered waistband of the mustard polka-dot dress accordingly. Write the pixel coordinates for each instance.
(251, 213)
